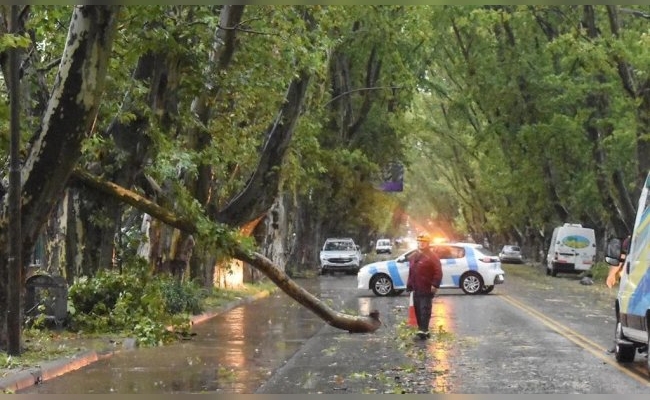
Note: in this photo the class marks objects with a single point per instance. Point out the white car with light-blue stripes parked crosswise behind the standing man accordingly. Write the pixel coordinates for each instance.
(467, 266)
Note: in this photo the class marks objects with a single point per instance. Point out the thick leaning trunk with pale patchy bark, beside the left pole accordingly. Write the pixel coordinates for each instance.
(68, 119)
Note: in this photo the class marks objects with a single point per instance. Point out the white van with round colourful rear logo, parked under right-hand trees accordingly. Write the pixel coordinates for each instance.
(572, 250)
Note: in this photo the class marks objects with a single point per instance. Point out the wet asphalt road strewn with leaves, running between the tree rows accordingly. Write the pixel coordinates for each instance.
(519, 339)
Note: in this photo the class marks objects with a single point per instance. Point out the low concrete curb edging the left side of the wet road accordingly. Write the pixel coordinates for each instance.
(52, 369)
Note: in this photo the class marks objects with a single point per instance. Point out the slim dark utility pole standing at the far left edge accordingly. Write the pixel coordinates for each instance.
(14, 284)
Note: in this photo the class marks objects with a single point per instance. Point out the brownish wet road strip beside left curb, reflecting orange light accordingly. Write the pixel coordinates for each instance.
(231, 353)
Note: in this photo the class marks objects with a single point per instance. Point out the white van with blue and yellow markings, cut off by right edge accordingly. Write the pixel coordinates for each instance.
(633, 300)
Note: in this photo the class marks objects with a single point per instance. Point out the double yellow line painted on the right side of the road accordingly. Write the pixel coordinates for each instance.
(578, 339)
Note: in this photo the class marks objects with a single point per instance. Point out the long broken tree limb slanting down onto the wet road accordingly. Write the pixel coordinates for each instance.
(336, 319)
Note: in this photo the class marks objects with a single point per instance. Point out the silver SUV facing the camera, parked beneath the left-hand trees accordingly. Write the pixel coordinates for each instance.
(340, 254)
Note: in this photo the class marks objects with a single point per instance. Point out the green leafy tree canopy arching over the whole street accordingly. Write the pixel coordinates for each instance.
(278, 121)
